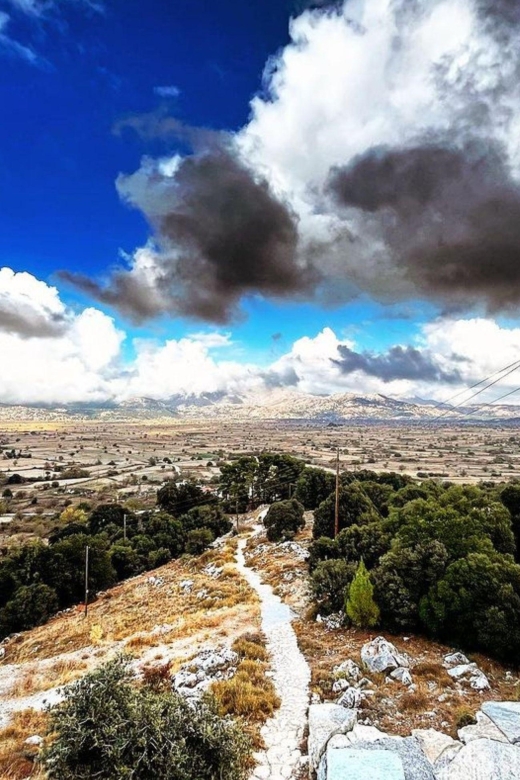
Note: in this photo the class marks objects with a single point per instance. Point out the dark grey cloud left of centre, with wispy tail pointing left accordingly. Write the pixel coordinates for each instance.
(221, 234)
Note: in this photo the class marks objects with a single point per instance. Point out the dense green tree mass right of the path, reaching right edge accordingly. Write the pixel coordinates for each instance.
(442, 558)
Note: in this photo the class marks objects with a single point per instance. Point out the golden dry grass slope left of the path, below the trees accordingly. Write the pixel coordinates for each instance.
(132, 609)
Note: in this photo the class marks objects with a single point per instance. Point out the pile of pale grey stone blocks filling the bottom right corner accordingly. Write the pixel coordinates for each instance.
(342, 749)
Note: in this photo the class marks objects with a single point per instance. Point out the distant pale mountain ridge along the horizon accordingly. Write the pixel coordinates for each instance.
(272, 405)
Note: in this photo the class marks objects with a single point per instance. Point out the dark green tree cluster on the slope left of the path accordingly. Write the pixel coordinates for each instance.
(38, 579)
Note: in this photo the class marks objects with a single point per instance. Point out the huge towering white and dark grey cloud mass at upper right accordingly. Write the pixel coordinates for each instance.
(382, 158)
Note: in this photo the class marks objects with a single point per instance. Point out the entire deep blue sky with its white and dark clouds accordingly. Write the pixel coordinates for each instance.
(251, 198)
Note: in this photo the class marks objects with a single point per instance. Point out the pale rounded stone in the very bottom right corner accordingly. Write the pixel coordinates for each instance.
(483, 759)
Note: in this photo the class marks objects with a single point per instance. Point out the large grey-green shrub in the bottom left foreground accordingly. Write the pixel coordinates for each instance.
(106, 727)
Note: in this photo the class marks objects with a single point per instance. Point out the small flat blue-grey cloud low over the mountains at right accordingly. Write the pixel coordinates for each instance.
(396, 363)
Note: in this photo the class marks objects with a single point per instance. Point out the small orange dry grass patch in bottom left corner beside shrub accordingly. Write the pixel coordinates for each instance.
(17, 758)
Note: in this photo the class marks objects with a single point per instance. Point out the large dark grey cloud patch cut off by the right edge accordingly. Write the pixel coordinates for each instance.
(450, 217)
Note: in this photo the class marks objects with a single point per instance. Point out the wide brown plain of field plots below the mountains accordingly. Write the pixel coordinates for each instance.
(57, 464)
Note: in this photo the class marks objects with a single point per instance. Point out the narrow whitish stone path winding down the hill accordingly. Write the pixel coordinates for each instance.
(282, 734)
